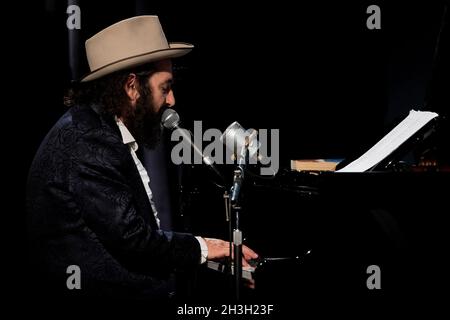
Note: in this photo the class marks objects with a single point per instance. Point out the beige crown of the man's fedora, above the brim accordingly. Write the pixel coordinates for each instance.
(122, 40)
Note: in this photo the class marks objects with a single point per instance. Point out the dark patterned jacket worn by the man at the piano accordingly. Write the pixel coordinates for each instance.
(87, 206)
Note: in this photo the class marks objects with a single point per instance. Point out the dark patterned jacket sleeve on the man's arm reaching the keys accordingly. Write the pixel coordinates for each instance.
(100, 183)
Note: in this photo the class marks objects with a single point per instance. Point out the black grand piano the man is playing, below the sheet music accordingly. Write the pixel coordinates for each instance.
(320, 234)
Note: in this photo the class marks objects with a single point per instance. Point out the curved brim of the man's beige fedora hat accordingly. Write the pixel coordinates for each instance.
(175, 50)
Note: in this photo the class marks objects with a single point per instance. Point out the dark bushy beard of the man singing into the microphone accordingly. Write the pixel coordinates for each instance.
(145, 123)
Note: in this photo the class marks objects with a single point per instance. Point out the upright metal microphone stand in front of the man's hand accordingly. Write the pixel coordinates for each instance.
(237, 233)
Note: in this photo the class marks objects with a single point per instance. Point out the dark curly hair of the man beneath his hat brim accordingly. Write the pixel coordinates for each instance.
(108, 92)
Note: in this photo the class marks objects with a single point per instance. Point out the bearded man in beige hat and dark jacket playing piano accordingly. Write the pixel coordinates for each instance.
(88, 198)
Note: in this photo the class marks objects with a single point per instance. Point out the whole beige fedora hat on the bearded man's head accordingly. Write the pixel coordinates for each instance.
(129, 43)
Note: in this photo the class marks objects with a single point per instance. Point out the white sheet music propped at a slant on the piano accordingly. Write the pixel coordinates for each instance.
(390, 142)
